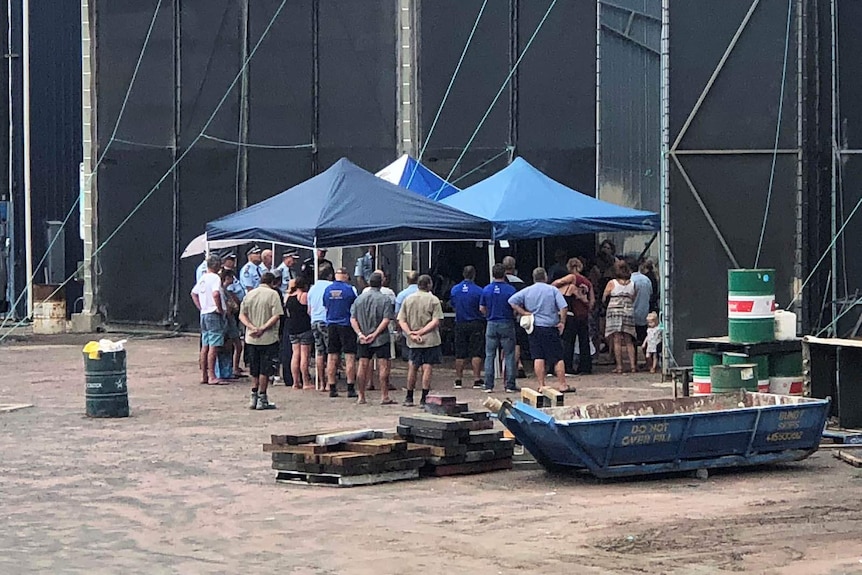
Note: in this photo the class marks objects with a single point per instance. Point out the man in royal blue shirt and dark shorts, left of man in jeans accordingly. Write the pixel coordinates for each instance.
(469, 327)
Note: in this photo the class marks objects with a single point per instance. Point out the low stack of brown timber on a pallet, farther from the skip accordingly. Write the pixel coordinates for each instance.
(344, 458)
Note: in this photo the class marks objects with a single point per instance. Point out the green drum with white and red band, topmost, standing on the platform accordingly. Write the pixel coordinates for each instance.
(751, 305)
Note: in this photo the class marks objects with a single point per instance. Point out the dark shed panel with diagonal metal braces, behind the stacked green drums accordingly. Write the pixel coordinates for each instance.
(738, 116)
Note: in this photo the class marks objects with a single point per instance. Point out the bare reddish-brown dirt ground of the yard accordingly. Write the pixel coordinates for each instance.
(182, 486)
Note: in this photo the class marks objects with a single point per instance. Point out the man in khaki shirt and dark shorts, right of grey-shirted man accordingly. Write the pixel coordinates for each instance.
(419, 319)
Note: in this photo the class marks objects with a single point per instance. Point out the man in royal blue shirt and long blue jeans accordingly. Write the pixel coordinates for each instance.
(500, 332)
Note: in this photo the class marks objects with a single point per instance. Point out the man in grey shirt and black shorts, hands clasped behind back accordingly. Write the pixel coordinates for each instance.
(370, 316)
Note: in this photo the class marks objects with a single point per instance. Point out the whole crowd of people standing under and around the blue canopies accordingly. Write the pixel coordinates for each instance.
(265, 316)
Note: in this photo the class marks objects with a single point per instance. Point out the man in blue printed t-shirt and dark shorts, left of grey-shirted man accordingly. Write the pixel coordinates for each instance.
(338, 298)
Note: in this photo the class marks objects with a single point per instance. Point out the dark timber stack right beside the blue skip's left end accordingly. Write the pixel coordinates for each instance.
(459, 445)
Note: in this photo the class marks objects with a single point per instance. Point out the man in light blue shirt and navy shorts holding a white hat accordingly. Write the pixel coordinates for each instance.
(548, 307)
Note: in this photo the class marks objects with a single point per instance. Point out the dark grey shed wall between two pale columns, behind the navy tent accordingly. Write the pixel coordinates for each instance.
(356, 102)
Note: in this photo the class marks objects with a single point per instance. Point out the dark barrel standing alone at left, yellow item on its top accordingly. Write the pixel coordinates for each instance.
(107, 395)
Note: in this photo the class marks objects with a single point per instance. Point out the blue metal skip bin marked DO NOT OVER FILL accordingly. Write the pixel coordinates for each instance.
(666, 435)
